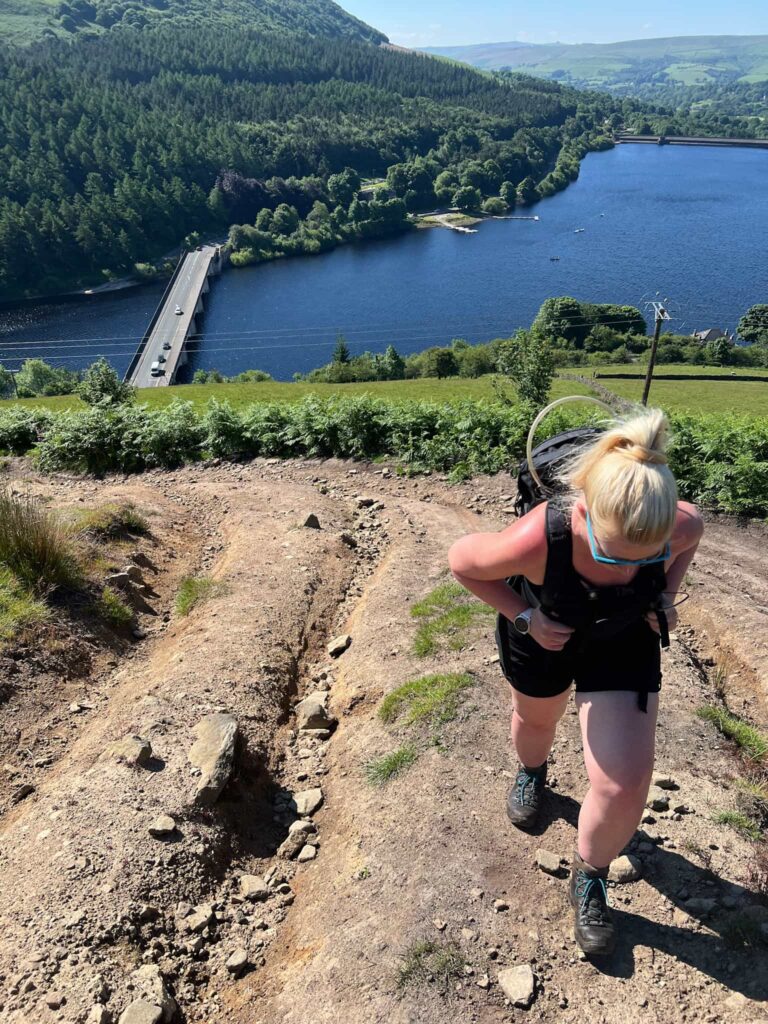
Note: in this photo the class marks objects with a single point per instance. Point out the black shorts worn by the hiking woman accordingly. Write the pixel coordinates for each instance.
(631, 660)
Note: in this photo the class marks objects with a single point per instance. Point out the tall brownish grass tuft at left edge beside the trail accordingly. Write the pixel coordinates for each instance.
(35, 545)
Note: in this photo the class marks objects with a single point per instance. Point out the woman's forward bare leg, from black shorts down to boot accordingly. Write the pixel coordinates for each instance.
(619, 749)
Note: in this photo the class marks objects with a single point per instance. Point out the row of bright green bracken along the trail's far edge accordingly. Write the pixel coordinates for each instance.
(720, 461)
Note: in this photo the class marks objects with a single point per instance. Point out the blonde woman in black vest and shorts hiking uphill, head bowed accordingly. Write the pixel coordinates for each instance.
(587, 574)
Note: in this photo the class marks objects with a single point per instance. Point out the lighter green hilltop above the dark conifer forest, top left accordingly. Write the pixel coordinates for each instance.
(25, 21)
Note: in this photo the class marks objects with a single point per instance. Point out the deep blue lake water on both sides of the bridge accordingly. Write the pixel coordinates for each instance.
(685, 224)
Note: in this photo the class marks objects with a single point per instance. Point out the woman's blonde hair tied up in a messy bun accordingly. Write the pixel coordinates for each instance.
(627, 485)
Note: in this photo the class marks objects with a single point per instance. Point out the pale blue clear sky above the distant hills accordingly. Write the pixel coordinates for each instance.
(449, 23)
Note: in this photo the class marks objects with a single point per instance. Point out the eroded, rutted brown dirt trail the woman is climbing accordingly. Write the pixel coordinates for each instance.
(89, 894)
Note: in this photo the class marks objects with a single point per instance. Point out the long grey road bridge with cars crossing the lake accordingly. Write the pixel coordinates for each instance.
(166, 337)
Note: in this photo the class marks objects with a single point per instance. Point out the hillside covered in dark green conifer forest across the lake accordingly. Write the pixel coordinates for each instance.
(113, 146)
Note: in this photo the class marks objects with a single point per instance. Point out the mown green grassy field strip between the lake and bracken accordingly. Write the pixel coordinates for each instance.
(703, 397)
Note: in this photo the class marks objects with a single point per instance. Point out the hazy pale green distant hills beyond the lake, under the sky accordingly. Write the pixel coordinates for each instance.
(629, 66)
